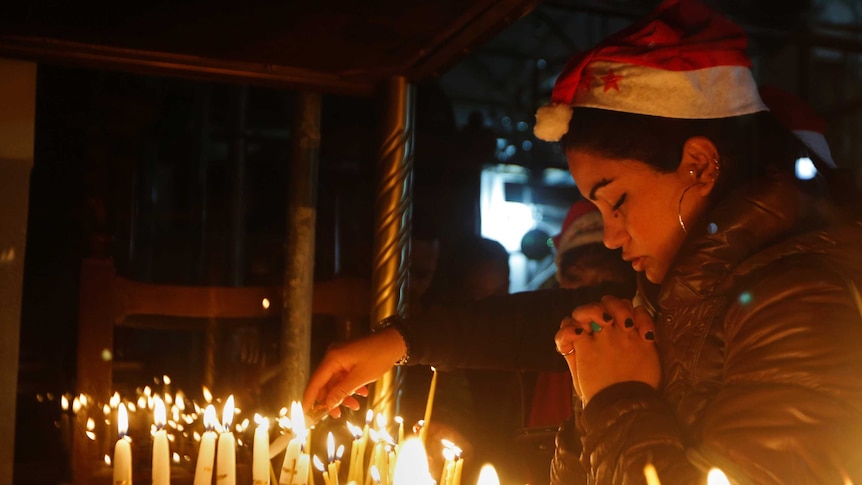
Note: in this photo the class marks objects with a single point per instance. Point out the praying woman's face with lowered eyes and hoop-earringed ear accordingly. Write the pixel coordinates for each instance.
(639, 208)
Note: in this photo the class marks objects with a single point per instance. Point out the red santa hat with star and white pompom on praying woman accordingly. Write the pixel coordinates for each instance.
(682, 61)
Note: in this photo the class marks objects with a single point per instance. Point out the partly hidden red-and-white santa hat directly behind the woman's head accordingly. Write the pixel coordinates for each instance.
(800, 118)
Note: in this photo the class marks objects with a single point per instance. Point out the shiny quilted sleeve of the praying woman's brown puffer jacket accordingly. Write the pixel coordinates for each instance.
(789, 408)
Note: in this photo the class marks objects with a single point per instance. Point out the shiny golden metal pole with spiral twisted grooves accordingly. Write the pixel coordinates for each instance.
(393, 212)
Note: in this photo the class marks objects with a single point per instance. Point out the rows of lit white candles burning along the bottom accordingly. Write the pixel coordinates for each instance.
(376, 456)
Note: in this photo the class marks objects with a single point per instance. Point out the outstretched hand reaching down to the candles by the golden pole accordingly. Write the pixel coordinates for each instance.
(347, 368)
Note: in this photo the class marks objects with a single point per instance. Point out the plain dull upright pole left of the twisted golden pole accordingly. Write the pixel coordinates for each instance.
(299, 250)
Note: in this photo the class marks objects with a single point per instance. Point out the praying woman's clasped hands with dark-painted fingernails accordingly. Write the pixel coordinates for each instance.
(611, 342)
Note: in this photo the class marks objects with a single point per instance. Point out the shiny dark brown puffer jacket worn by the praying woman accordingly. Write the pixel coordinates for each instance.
(760, 338)
